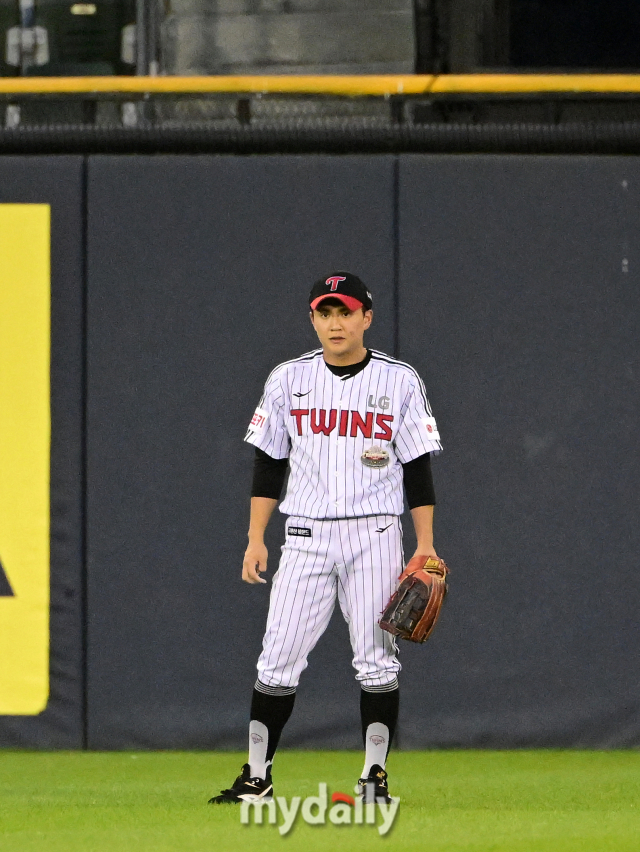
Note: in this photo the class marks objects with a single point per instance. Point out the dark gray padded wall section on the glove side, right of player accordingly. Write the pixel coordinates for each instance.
(520, 304)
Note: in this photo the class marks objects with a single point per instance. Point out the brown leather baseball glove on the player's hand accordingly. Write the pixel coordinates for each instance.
(414, 608)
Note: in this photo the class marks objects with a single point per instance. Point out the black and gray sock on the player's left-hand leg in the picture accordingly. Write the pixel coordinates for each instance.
(269, 714)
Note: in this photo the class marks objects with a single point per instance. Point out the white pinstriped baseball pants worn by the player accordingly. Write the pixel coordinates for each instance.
(357, 561)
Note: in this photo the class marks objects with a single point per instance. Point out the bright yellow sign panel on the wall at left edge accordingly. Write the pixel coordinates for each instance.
(25, 430)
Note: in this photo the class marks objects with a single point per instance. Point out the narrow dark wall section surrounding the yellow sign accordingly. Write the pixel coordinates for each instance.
(58, 181)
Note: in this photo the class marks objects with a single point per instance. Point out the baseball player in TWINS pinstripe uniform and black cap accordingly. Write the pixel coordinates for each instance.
(353, 426)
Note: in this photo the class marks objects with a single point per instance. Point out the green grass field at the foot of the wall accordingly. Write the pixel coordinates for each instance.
(481, 801)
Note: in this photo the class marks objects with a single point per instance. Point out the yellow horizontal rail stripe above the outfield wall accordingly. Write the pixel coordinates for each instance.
(362, 85)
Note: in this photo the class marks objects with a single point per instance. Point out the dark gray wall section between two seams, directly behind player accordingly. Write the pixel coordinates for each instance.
(199, 271)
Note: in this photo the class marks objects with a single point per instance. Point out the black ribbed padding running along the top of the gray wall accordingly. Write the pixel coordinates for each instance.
(433, 128)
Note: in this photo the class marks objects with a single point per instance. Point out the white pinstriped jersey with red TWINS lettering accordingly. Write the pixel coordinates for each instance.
(323, 424)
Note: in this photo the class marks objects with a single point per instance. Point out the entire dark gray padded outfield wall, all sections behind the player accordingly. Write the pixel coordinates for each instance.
(511, 283)
